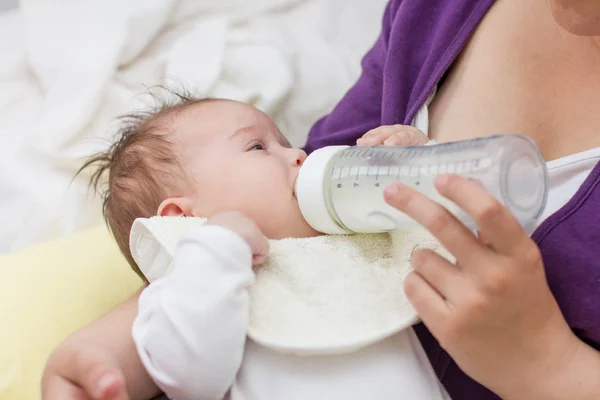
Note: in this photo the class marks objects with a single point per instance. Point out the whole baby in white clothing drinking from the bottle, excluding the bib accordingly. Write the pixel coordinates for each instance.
(227, 161)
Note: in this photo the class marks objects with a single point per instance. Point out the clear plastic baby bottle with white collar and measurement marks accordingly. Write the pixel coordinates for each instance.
(340, 188)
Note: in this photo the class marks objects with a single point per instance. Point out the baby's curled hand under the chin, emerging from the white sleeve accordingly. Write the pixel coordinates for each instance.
(247, 229)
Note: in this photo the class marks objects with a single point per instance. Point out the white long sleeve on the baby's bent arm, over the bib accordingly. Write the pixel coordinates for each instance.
(191, 326)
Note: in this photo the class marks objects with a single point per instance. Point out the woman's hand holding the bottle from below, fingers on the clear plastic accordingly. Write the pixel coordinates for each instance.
(493, 310)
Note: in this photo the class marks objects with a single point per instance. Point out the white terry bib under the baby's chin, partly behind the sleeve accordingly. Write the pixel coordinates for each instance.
(321, 295)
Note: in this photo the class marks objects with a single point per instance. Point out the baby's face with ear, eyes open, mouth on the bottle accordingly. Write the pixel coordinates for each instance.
(236, 159)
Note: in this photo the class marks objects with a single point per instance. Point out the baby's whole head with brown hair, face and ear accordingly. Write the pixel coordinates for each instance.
(199, 157)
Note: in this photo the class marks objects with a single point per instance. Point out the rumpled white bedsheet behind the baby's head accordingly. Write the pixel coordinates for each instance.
(69, 67)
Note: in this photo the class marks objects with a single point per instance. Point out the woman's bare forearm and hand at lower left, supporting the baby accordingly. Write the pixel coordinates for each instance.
(93, 362)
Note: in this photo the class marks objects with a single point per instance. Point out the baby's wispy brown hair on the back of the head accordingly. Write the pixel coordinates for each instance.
(141, 165)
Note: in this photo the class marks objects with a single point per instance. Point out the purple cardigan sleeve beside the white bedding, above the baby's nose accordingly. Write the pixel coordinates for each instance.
(360, 108)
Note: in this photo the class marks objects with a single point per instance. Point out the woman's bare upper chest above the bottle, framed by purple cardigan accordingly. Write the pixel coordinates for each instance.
(520, 73)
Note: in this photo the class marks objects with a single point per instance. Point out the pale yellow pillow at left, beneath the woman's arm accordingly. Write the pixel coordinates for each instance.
(49, 291)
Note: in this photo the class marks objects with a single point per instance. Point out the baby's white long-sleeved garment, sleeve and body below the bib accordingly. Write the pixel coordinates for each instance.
(191, 336)
